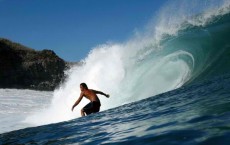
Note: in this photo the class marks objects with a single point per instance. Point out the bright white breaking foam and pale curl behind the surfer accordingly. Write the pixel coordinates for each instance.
(126, 76)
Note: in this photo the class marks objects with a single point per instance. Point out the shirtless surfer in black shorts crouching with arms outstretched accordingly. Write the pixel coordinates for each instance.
(94, 105)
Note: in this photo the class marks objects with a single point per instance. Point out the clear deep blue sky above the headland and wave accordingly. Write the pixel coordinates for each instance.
(71, 28)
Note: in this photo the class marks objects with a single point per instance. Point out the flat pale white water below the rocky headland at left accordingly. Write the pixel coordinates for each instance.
(16, 105)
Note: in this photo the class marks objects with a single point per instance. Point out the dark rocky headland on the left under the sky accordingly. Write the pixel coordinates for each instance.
(25, 68)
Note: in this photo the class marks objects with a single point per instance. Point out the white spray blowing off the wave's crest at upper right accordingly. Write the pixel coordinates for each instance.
(174, 14)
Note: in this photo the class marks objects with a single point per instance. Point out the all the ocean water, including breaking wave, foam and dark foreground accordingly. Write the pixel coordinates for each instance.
(169, 85)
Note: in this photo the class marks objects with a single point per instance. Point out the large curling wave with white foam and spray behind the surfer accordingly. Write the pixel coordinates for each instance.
(179, 47)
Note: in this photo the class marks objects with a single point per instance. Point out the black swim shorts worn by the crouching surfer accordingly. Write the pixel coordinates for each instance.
(92, 107)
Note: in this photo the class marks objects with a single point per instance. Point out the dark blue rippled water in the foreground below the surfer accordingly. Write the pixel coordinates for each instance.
(196, 114)
